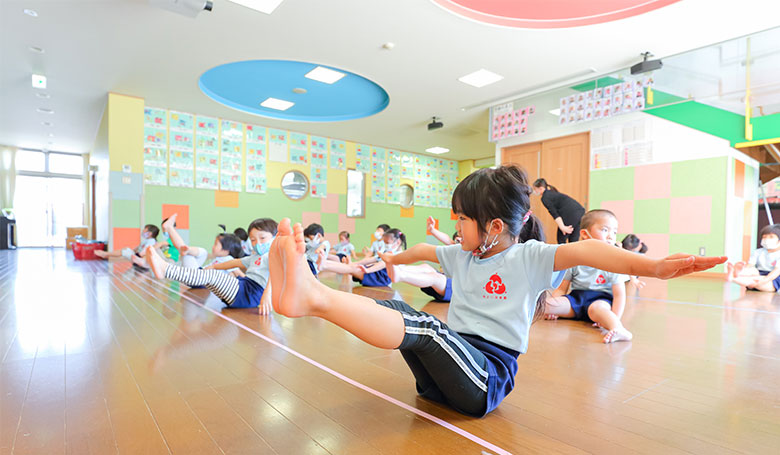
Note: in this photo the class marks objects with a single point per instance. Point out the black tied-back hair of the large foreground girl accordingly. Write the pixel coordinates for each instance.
(503, 193)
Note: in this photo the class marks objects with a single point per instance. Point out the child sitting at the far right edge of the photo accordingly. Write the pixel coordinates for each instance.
(762, 271)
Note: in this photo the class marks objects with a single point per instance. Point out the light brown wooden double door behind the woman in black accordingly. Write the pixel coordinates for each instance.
(563, 162)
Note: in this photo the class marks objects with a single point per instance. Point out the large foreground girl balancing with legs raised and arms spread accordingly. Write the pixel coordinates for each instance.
(468, 363)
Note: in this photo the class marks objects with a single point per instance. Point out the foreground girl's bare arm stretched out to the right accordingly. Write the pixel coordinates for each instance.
(600, 255)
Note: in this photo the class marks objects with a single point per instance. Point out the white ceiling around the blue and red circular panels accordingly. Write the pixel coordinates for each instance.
(132, 48)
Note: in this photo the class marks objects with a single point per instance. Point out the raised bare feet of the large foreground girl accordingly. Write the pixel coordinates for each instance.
(296, 292)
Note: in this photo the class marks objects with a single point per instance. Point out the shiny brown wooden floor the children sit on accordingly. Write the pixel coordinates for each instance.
(98, 358)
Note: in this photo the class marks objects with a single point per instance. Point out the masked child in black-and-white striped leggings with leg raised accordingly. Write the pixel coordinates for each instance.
(246, 291)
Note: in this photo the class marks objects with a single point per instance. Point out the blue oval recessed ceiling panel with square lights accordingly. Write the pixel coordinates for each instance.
(245, 85)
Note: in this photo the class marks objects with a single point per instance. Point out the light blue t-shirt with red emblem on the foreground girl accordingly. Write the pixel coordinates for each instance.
(495, 298)
